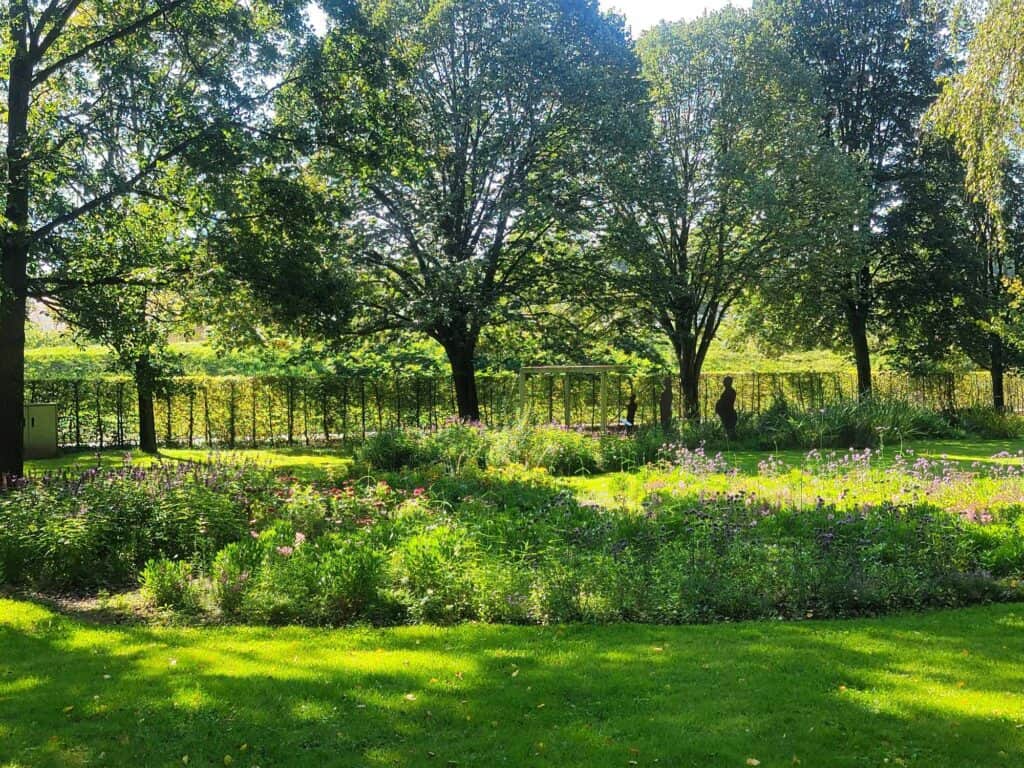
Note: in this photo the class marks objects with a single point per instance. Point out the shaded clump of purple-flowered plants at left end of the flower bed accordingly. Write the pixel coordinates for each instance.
(99, 529)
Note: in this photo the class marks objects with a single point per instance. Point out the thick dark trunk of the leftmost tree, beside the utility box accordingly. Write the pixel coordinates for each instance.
(14, 271)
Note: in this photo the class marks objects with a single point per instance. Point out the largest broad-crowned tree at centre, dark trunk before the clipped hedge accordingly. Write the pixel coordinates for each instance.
(451, 159)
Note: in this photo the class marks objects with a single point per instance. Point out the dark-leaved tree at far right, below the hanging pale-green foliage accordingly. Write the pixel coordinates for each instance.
(956, 281)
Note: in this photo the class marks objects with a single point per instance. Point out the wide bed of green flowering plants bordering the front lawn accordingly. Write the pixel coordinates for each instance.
(514, 545)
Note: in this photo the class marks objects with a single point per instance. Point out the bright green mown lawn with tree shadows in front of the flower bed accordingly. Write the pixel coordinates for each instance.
(943, 690)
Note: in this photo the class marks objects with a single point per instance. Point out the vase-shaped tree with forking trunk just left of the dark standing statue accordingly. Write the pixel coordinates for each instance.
(735, 173)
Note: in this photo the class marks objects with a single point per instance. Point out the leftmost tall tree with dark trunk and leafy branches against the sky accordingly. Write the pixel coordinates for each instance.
(100, 98)
